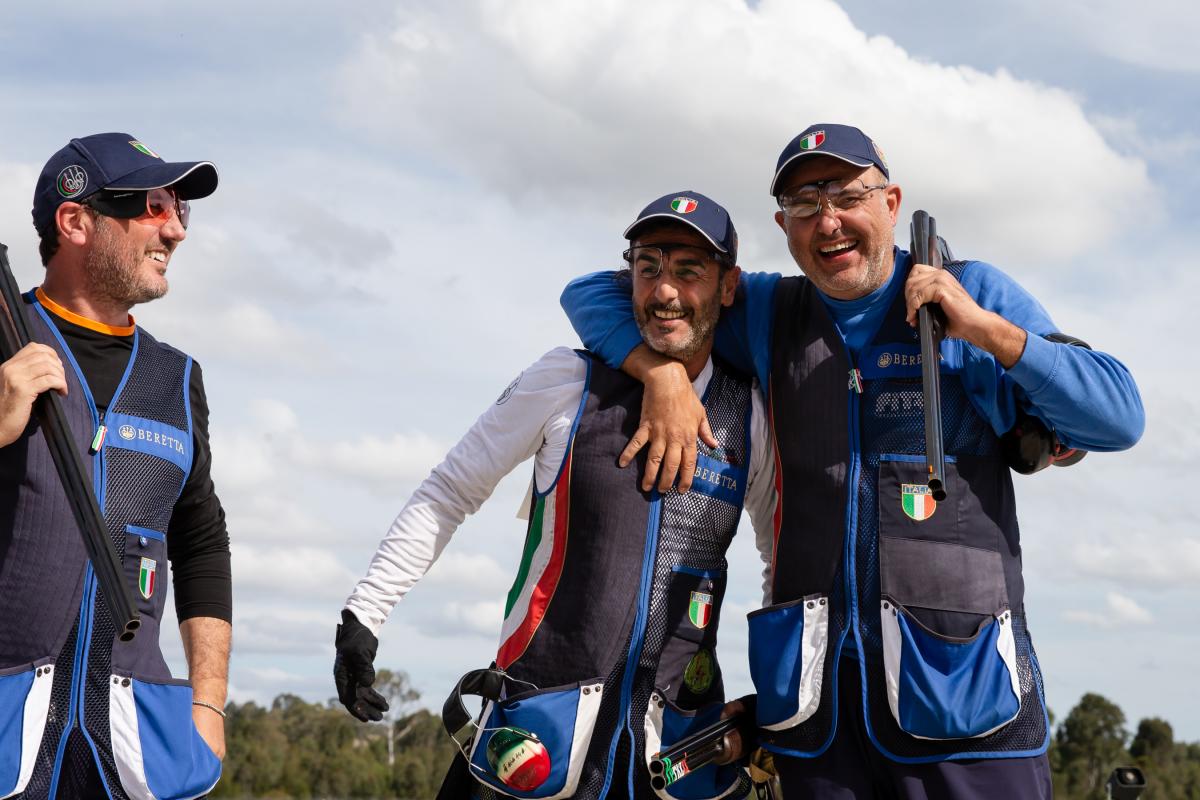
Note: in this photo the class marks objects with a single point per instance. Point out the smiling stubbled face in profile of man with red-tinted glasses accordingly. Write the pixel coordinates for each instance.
(127, 261)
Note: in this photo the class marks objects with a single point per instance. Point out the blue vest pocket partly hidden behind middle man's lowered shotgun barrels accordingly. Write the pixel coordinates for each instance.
(668, 724)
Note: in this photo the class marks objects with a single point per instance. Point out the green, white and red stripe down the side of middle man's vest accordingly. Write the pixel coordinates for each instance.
(542, 566)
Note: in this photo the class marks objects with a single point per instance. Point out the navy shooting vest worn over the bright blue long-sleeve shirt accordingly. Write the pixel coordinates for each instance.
(932, 593)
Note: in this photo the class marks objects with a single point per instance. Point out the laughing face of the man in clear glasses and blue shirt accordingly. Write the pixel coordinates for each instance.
(847, 255)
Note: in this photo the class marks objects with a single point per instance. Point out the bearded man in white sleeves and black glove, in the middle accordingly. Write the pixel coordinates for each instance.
(610, 628)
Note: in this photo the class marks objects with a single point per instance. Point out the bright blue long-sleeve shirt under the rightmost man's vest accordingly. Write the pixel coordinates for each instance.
(1088, 398)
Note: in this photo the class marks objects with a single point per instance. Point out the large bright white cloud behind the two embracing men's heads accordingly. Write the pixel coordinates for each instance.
(601, 104)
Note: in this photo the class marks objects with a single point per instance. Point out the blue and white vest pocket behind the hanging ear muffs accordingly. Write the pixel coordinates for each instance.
(562, 718)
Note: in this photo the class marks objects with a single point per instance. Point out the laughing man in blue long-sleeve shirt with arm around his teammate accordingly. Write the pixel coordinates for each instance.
(910, 672)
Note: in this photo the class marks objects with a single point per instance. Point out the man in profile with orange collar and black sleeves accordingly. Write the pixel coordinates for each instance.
(94, 717)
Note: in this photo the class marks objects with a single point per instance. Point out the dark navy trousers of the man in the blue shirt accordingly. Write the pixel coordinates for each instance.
(853, 769)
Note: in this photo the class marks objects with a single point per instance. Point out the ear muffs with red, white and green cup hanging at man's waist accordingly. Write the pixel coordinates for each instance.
(517, 756)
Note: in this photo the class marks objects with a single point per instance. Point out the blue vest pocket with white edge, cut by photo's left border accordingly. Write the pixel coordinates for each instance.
(25, 702)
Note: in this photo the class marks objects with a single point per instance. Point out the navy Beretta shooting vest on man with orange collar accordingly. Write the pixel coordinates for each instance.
(62, 669)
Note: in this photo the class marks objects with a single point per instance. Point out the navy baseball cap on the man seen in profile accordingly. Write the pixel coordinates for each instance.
(113, 161)
